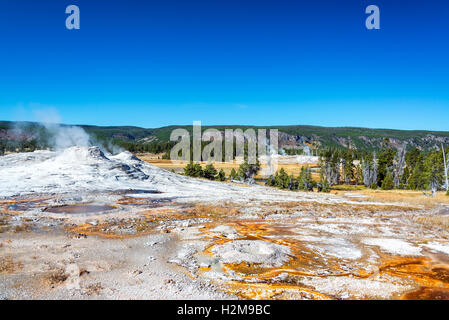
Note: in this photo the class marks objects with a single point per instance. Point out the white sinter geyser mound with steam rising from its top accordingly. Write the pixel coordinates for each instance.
(74, 169)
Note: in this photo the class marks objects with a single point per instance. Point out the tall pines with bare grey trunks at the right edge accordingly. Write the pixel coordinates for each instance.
(389, 168)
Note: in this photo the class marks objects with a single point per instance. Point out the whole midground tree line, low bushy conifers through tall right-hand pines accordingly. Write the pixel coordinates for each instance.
(389, 168)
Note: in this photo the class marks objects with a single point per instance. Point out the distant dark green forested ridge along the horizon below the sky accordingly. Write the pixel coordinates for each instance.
(28, 136)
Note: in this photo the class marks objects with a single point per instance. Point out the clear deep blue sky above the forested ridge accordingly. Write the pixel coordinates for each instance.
(156, 63)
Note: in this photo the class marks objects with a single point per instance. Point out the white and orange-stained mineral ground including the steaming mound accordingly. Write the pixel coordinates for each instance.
(84, 225)
